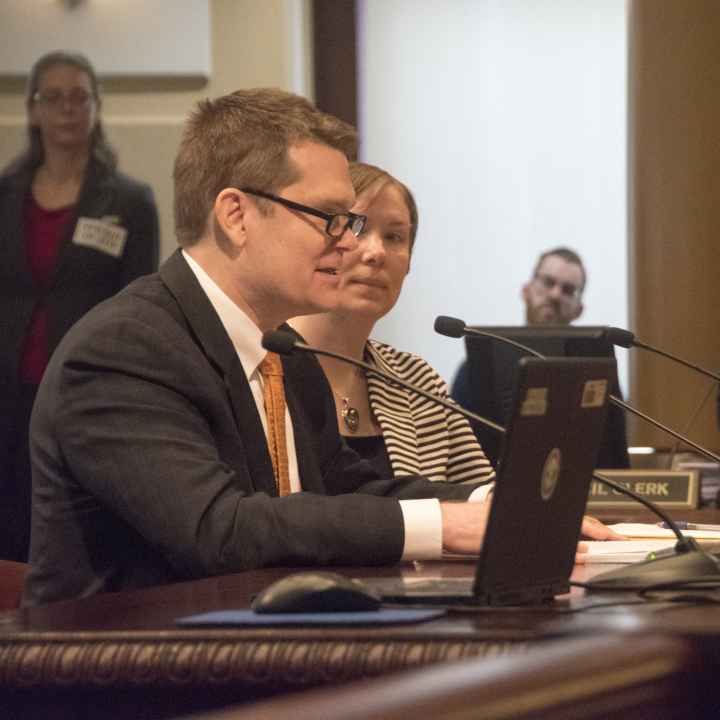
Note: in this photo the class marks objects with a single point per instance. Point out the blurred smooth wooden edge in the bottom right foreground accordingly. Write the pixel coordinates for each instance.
(607, 674)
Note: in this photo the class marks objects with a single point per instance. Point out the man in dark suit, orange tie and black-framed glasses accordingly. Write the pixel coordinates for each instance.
(166, 443)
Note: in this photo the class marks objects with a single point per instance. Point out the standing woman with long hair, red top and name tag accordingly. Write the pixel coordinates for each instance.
(73, 231)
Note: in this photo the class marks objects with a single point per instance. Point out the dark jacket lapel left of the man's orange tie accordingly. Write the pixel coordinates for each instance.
(212, 337)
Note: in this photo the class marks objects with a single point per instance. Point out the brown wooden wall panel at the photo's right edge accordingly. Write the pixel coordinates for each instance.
(674, 206)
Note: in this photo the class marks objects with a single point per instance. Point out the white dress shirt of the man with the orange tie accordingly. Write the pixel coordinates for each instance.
(422, 518)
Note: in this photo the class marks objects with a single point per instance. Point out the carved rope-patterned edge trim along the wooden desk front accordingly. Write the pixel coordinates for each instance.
(82, 660)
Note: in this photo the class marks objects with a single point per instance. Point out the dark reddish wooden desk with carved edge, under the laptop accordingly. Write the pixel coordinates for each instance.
(121, 655)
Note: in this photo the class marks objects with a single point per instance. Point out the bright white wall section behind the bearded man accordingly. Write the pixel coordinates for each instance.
(507, 118)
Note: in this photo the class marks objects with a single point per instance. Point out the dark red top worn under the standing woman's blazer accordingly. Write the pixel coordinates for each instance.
(44, 229)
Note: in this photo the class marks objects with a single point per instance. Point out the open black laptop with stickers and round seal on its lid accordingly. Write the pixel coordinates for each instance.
(543, 478)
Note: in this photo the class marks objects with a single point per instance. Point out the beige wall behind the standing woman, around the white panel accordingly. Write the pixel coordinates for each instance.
(254, 44)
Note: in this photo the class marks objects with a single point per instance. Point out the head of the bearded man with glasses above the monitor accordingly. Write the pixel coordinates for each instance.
(554, 293)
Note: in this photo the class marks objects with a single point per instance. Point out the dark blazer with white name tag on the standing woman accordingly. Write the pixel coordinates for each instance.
(84, 276)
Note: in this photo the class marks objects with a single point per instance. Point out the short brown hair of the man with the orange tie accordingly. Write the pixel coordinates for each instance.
(242, 140)
